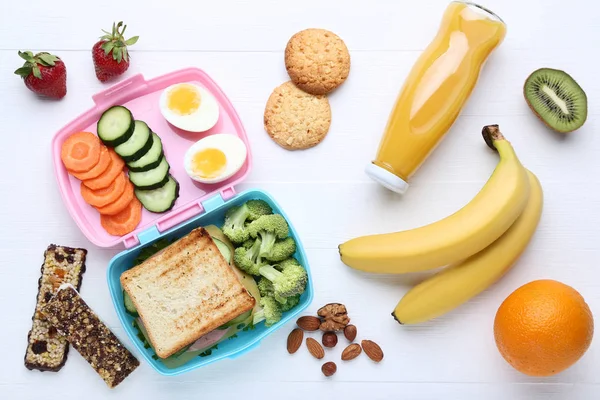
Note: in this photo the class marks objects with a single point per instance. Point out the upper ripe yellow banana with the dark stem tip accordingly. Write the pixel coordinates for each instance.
(471, 229)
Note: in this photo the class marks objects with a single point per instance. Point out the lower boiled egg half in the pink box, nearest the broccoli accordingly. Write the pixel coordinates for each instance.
(215, 158)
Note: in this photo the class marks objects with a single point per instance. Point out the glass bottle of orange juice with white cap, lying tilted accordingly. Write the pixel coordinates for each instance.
(435, 91)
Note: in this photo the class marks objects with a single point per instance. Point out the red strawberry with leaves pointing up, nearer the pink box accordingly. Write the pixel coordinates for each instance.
(110, 55)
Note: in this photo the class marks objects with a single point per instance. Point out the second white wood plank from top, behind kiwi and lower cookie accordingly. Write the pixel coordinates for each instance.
(360, 111)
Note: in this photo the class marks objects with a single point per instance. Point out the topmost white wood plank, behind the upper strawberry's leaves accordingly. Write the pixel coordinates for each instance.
(238, 25)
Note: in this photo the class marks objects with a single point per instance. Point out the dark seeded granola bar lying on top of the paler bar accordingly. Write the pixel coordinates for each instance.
(71, 316)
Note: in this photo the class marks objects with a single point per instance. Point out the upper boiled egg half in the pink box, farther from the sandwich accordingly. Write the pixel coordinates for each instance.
(189, 107)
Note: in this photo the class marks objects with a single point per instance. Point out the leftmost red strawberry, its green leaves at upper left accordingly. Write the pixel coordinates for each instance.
(44, 74)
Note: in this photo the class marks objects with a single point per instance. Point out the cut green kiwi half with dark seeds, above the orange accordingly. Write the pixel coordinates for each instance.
(556, 99)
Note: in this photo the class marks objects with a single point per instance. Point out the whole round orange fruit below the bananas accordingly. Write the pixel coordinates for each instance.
(543, 328)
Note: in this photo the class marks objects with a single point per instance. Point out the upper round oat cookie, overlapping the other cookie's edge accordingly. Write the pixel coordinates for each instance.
(317, 60)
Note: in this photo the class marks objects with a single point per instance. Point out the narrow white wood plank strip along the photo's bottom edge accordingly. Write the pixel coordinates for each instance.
(336, 389)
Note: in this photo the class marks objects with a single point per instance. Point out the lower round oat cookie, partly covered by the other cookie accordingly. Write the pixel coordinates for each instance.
(296, 120)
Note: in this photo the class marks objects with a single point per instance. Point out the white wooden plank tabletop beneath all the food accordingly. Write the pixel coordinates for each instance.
(329, 198)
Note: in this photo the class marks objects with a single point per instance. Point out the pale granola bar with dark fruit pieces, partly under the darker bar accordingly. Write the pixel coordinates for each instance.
(47, 349)
